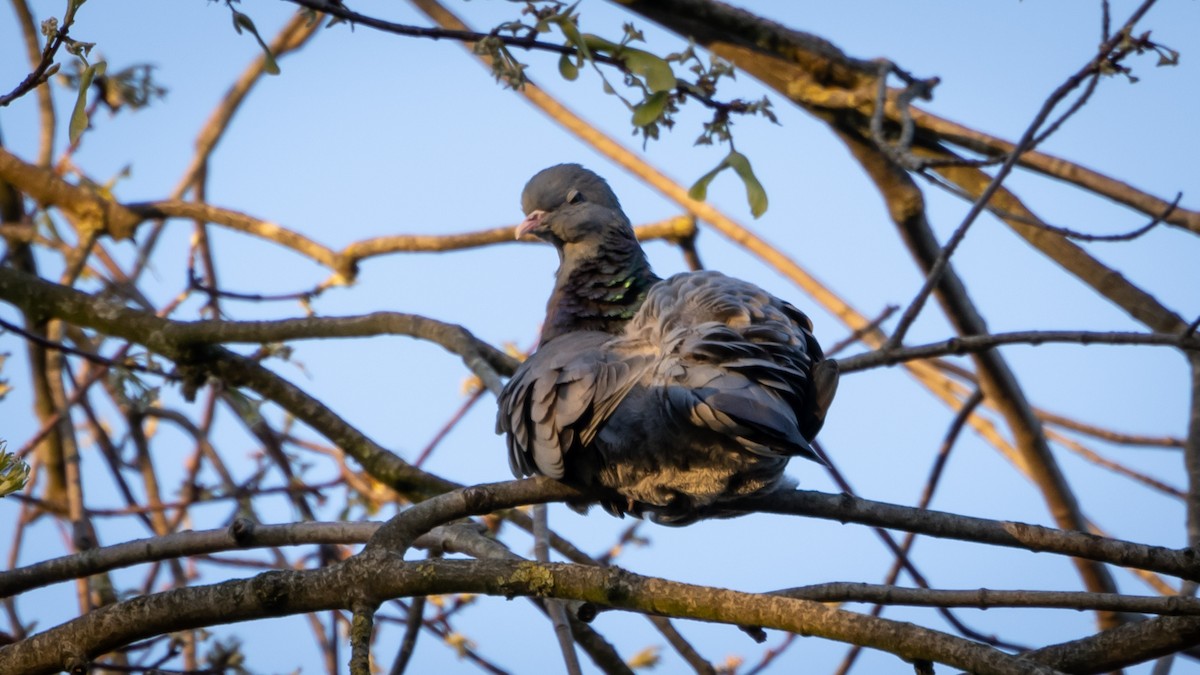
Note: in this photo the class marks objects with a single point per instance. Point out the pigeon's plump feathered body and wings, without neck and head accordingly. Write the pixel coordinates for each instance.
(704, 398)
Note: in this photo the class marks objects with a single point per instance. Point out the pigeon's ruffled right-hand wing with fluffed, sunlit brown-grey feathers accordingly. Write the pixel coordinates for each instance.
(736, 361)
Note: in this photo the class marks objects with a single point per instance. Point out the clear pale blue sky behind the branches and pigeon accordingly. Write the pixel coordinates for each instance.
(368, 135)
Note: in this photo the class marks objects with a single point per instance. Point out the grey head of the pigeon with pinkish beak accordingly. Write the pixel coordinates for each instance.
(569, 205)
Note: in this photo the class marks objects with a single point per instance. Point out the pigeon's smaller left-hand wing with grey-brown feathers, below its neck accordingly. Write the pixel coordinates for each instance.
(559, 399)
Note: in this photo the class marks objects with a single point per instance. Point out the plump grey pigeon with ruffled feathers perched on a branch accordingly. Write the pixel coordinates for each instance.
(657, 398)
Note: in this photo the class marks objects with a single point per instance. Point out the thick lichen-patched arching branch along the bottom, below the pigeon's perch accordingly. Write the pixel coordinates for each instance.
(278, 594)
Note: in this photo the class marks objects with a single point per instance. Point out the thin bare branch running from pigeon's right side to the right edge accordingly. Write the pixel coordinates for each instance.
(975, 344)
